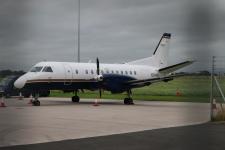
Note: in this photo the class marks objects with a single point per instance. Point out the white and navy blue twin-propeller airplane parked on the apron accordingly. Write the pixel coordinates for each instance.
(116, 78)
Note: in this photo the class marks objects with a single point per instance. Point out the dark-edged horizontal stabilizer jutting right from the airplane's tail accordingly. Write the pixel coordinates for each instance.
(173, 68)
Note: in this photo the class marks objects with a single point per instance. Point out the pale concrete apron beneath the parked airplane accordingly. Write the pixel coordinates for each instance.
(58, 119)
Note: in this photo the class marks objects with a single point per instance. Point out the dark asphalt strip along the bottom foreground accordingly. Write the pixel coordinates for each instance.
(207, 136)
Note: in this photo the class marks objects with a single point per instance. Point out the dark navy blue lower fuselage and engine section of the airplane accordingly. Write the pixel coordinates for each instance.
(111, 82)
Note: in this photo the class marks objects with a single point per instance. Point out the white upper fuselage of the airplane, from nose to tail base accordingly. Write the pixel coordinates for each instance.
(70, 72)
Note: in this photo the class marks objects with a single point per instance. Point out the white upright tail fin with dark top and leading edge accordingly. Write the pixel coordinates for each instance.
(160, 55)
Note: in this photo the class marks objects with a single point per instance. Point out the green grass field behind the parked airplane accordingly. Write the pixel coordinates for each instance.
(191, 88)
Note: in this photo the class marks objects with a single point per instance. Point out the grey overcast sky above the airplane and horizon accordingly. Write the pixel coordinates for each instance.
(116, 31)
